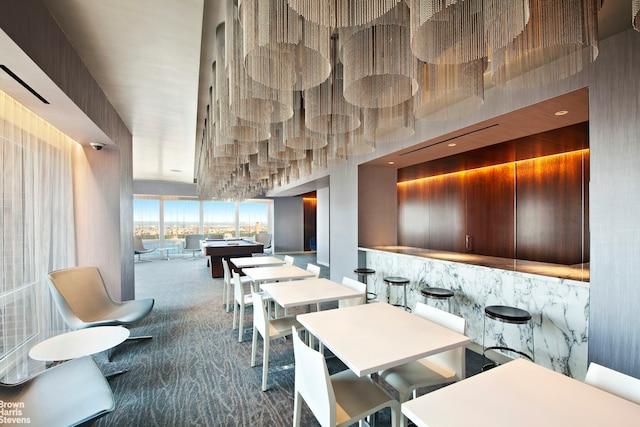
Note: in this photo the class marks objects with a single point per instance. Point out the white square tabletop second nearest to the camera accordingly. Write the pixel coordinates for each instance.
(376, 336)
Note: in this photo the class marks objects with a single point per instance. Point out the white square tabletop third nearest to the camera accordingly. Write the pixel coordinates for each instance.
(308, 291)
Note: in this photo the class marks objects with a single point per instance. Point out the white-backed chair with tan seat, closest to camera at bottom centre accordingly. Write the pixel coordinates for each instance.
(341, 399)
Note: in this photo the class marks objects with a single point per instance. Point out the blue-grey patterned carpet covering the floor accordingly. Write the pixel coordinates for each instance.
(194, 371)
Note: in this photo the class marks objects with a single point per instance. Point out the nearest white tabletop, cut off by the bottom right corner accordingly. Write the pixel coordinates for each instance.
(521, 393)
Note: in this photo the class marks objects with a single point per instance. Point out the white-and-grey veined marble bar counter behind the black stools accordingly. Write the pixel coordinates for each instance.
(556, 296)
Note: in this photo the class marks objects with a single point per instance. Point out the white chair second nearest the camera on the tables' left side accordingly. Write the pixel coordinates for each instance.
(269, 330)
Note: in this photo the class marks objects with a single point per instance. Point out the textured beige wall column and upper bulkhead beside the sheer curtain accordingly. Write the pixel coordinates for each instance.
(103, 180)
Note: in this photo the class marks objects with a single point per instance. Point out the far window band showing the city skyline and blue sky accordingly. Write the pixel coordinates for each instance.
(164, 222)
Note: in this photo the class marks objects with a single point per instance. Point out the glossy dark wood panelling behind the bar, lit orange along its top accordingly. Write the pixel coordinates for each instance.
(532, 210)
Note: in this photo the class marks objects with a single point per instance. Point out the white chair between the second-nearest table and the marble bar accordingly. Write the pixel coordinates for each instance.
(442, 368)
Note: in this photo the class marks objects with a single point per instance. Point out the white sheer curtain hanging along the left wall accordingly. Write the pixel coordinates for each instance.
(37, 220)
